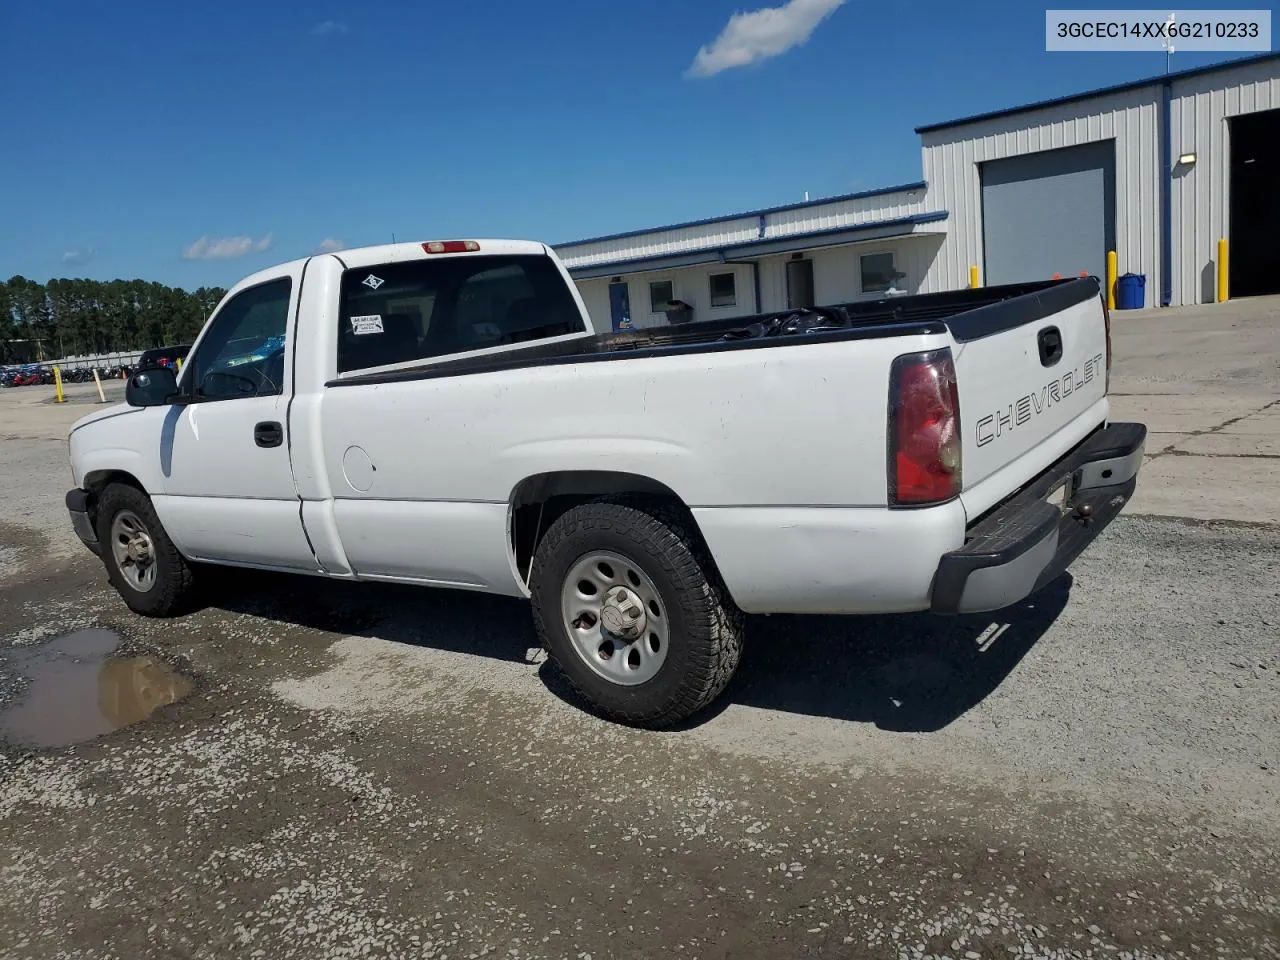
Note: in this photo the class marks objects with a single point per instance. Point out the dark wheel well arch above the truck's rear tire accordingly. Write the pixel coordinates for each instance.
(540, 501)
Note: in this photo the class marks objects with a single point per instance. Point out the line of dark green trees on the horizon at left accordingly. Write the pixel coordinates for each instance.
(79, 318)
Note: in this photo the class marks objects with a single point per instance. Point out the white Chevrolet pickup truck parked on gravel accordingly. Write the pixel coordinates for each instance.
(445, 414)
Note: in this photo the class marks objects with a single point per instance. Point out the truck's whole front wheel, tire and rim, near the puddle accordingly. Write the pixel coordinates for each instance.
(141, 561)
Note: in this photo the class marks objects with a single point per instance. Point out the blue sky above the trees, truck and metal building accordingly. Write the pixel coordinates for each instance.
(194, 144)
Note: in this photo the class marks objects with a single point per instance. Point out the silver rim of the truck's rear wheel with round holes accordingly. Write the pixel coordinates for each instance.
(615, 619)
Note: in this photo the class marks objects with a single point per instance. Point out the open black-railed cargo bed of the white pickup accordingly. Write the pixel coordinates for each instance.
(970, 314)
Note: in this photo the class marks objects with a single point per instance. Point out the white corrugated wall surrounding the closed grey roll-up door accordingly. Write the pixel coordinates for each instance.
(1131, 118)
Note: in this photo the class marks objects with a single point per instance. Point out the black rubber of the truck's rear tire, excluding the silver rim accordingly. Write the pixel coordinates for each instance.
(706, 630)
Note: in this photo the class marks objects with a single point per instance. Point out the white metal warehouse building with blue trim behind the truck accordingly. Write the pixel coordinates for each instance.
(1158, 171)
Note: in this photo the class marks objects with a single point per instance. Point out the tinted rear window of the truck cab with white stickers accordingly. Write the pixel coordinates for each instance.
(426, 309)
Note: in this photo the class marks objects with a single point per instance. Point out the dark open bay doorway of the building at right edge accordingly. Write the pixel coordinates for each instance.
(1254, 262)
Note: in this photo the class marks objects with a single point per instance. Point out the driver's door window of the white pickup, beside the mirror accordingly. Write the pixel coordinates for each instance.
(243, 355)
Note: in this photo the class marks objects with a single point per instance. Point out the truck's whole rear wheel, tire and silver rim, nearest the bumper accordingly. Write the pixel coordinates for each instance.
(634, 614)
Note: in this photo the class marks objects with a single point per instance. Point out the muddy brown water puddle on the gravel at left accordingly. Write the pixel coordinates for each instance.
(80, 691)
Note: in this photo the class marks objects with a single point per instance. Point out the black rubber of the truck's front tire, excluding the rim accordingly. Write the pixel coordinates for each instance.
(175, 580)
